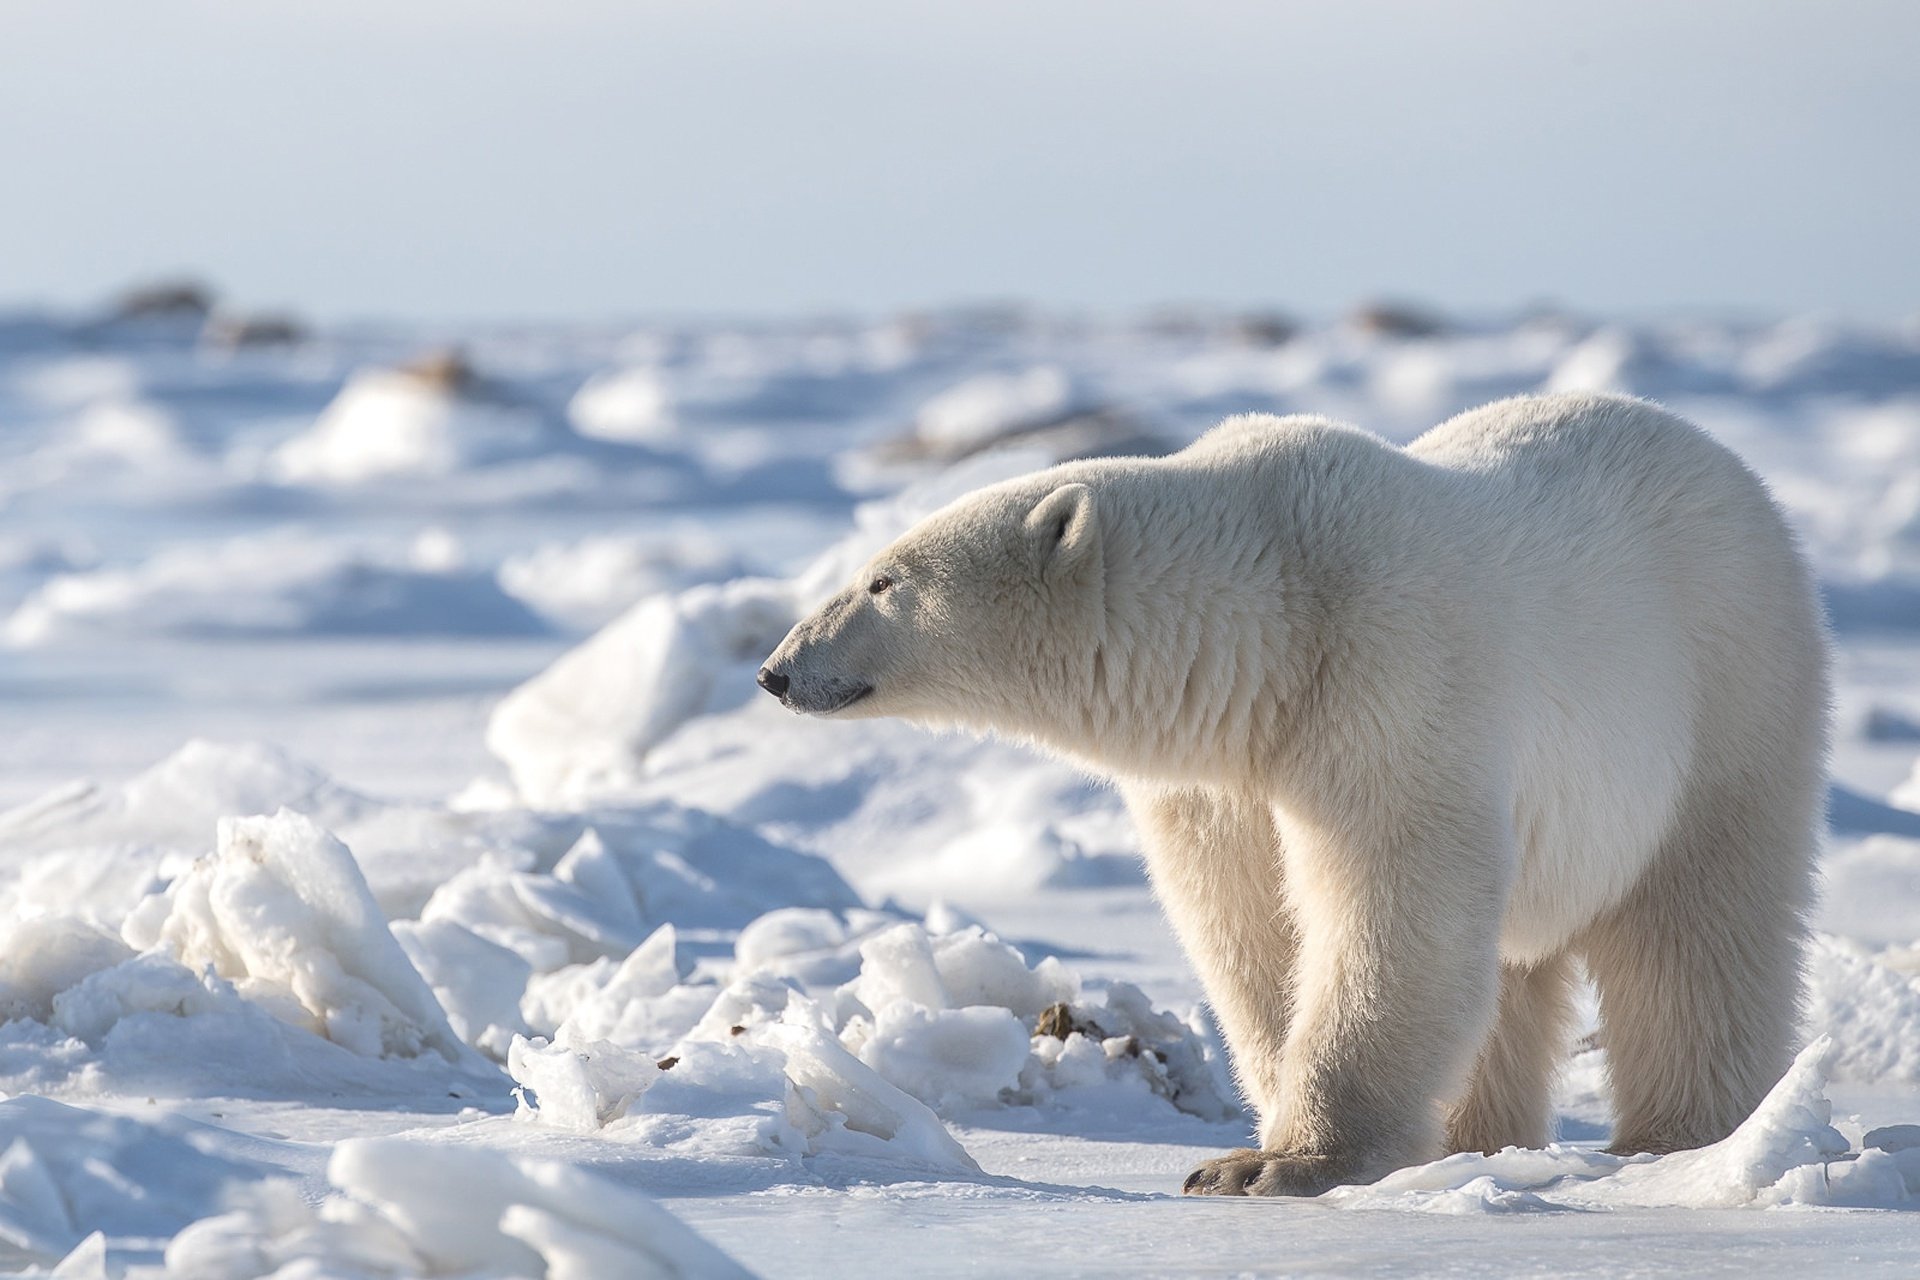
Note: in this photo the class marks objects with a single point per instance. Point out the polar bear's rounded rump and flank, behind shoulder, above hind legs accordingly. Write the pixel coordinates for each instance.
(1664, 630)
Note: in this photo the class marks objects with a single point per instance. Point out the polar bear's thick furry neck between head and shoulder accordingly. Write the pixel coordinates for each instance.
(1224, 577)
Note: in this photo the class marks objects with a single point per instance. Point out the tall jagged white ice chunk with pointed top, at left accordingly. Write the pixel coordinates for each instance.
(283, 914)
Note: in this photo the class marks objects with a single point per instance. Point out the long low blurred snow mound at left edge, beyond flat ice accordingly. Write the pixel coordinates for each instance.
(274, 584)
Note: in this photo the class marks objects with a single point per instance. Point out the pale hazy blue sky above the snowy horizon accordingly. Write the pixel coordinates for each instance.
(489, 158)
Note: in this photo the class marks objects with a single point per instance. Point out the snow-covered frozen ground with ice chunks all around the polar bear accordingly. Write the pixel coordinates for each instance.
(402, 876)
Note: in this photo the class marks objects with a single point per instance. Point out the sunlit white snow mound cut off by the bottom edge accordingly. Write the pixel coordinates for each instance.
(423, 1210)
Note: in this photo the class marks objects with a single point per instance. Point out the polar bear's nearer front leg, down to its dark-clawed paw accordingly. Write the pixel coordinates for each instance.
(1397, 991)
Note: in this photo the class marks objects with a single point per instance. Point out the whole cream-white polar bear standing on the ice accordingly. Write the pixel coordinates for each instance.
(1408, 736)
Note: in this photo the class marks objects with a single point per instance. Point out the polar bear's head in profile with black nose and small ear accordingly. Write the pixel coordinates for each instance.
(982, 615)
